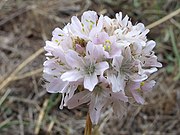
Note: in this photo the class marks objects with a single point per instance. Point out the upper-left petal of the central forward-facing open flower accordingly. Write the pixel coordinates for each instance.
(74, 60)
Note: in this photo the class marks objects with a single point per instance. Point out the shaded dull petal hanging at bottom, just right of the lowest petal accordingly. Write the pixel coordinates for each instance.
(119, 108)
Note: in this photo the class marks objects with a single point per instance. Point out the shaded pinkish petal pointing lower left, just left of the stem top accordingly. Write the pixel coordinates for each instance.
(78, 99)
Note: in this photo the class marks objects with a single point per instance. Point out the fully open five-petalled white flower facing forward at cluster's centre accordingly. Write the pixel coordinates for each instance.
(84, 68)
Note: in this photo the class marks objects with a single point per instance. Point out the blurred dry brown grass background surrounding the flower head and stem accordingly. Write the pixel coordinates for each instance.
(25, 106)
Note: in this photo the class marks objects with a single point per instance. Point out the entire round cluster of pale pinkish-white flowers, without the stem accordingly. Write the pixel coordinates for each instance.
(100, 61)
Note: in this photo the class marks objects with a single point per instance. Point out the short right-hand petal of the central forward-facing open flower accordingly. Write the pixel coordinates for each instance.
(101, 67)
